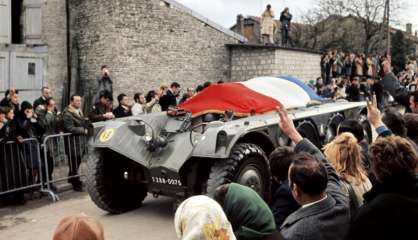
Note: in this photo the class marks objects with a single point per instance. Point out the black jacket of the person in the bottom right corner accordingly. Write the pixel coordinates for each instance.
(390, 212)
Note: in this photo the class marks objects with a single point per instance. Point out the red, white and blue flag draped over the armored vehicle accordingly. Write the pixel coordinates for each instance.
(255, 96)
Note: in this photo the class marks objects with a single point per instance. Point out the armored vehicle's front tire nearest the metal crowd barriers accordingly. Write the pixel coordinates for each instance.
(113, 183)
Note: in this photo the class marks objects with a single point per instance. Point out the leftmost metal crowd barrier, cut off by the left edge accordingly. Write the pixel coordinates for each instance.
(21, 167)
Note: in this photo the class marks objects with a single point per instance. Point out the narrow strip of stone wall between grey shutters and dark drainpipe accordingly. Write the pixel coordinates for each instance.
(54, 35)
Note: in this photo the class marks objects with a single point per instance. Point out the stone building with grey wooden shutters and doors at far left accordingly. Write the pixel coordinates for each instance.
(32, 46)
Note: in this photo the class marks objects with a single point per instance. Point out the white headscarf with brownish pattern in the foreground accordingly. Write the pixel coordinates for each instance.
(201, 218)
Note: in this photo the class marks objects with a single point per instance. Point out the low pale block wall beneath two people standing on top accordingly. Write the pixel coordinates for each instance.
(249, 61)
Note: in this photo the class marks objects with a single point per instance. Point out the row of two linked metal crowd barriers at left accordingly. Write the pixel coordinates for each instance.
(27, 165)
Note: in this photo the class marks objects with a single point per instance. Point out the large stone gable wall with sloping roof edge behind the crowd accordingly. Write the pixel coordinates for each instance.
(146, 43)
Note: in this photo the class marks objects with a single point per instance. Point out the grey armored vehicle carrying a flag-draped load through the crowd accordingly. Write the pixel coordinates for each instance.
(223, 134)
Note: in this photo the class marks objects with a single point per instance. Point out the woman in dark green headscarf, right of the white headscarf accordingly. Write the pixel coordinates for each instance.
(250, 216)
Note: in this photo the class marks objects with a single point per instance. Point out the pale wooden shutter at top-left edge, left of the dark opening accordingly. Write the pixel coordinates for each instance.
(5, 21)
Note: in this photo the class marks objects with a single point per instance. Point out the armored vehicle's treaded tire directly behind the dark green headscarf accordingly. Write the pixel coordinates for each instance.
(247, 165)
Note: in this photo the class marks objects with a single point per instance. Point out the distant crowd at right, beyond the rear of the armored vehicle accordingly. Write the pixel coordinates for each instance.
(355, 77)
